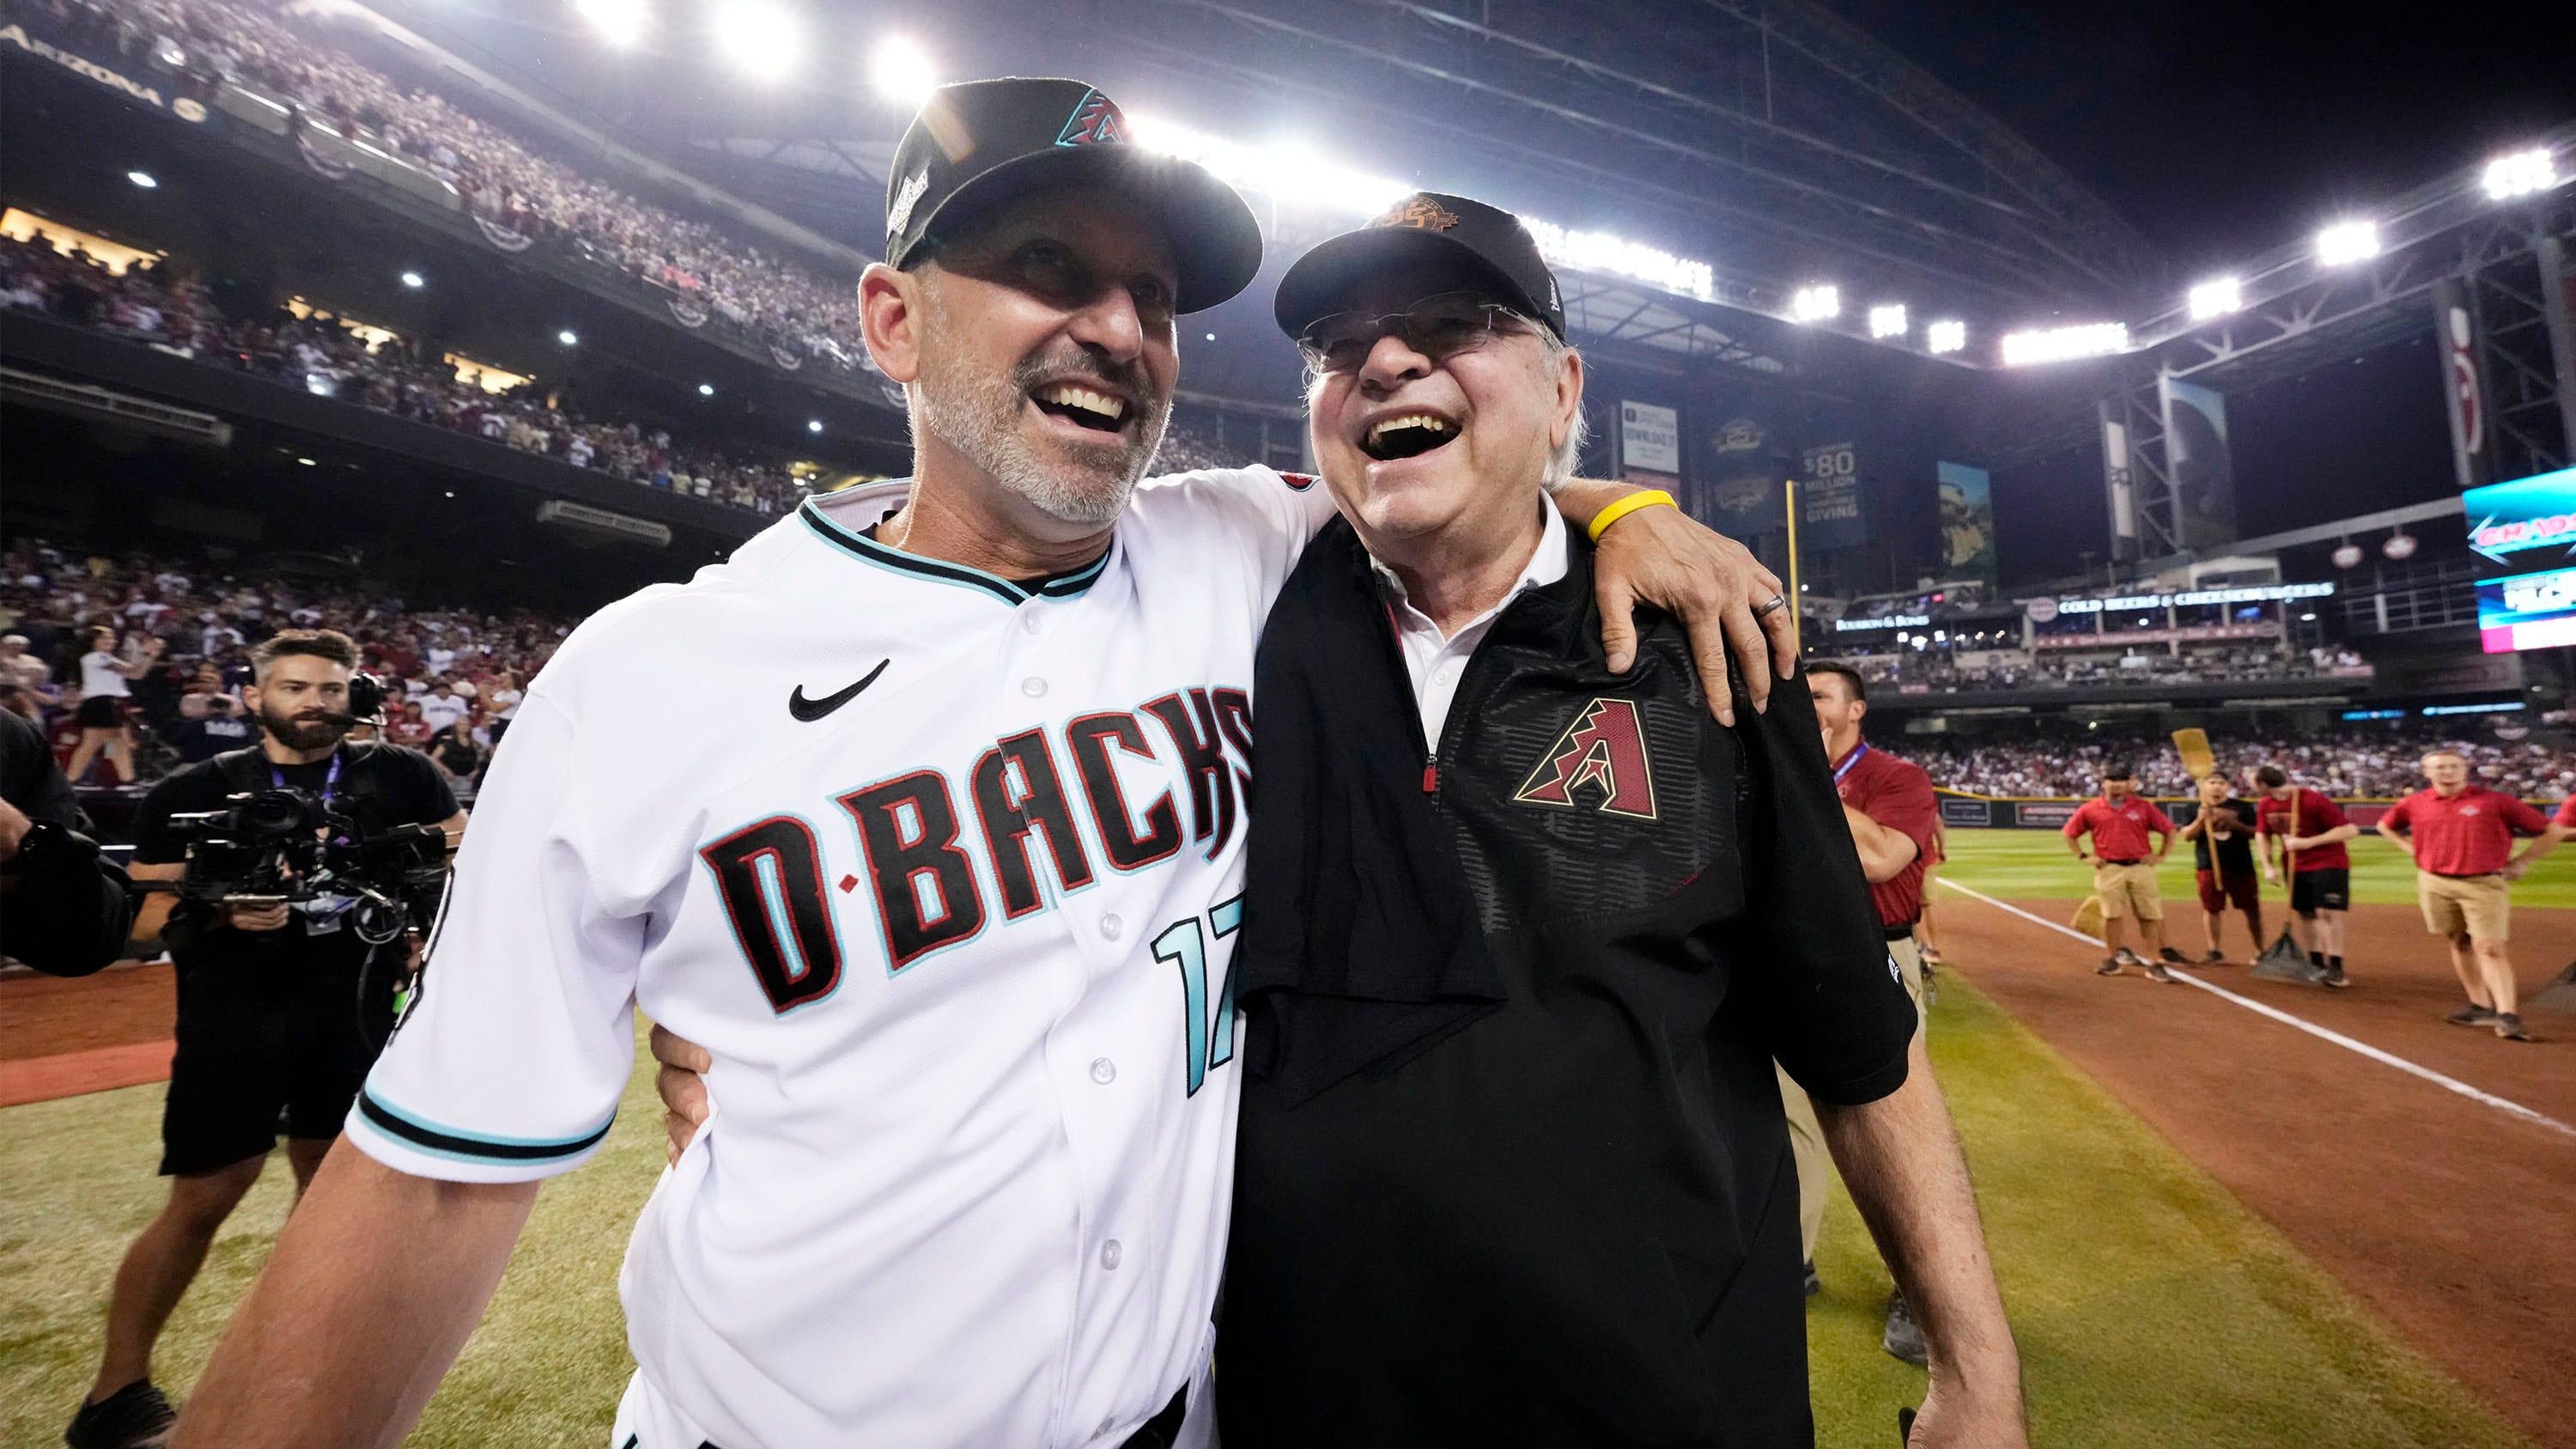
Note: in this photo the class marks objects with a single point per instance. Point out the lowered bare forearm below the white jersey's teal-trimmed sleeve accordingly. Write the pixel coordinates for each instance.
(372, 1290)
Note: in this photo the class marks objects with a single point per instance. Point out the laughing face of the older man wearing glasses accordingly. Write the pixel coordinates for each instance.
(1416, 445)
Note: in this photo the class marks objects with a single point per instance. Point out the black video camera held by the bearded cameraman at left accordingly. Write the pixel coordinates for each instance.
(277, 847)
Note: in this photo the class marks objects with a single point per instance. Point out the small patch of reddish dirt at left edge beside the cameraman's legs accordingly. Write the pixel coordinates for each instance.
(68, 1038)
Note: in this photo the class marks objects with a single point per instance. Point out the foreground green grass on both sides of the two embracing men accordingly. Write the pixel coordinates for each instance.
(2152, 1308)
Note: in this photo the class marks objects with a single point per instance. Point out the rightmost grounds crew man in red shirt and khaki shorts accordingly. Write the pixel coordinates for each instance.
(2461, 839)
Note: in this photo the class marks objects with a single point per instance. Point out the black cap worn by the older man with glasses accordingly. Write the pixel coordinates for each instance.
(1490, 249)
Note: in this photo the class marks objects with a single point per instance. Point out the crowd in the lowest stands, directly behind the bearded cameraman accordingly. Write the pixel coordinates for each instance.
(174, 643)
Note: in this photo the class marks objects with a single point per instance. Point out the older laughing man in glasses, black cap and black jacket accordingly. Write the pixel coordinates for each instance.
(1524, 937)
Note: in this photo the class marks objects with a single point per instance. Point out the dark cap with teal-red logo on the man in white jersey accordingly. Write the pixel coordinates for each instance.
(983, 143)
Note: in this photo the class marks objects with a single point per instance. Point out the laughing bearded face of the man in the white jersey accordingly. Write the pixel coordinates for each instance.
(1042, 349)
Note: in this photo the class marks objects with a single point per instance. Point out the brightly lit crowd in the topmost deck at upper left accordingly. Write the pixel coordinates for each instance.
(501, 177)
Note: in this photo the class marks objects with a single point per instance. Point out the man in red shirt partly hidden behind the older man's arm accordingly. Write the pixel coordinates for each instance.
(1895, 821)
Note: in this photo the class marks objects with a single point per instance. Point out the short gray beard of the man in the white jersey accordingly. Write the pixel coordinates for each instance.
(980, 419)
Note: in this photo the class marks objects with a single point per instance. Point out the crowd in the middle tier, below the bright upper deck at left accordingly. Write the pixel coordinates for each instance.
(331, 360)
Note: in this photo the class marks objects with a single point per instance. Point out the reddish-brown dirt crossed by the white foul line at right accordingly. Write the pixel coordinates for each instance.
(2446, 1216)
